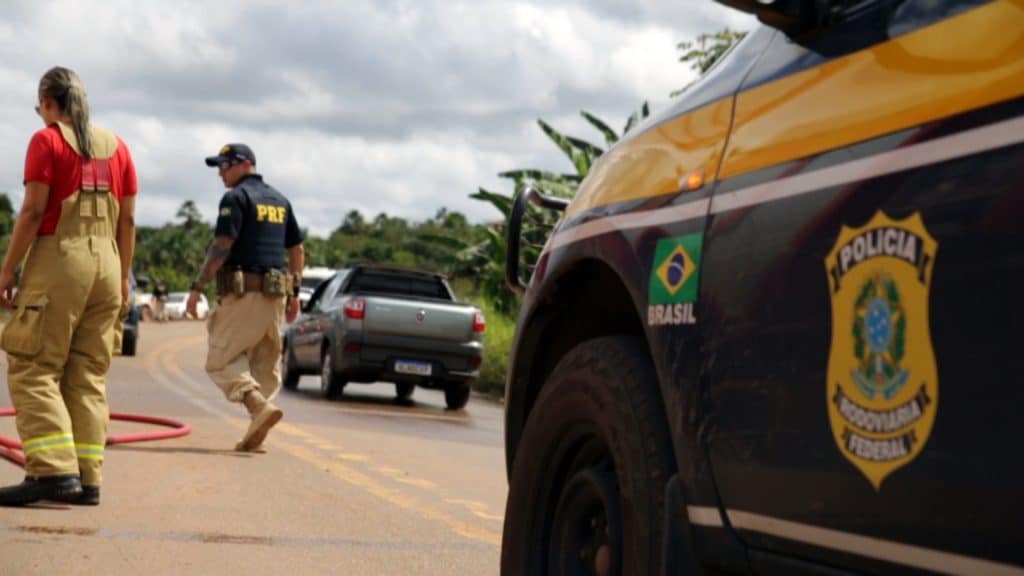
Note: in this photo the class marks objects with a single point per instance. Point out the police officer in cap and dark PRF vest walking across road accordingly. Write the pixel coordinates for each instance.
(255, 229)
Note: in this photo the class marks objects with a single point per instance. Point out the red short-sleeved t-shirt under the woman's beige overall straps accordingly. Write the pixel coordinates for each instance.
(52, 161)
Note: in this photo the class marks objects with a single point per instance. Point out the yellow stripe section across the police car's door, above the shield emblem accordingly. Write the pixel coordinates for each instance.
(967, 62)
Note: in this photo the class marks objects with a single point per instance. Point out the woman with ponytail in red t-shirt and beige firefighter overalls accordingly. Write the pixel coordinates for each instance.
(78, 219)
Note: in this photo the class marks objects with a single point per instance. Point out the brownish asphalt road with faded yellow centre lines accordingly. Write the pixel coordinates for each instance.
(359, 485)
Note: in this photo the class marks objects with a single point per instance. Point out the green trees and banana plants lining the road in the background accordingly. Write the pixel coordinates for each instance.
(473, 255)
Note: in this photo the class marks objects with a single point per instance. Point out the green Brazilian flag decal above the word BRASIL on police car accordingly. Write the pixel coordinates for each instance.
(675, 270)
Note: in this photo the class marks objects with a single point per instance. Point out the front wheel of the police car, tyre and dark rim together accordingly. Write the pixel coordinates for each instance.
(587, 489)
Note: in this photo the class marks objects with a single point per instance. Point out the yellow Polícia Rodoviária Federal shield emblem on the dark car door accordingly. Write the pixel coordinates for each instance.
(883, 389)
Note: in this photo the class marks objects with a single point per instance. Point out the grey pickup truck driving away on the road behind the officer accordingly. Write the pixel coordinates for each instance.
(368, 324)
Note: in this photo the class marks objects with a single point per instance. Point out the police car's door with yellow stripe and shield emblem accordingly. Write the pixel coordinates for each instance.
(824, 147)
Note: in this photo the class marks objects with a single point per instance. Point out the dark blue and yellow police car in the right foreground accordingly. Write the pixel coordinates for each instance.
(778, 328)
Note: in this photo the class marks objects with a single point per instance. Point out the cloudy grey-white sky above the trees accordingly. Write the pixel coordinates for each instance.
(383, 106)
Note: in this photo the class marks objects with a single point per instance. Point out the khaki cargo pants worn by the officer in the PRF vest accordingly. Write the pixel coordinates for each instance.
(245, 345)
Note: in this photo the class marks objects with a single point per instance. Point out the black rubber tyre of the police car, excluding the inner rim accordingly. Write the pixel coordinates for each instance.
(608, 388)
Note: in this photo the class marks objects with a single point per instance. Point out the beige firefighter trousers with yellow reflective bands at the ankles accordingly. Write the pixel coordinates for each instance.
(60, 340)
